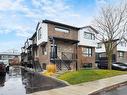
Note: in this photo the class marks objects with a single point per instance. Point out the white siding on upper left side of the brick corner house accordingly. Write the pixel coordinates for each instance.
(44, 33)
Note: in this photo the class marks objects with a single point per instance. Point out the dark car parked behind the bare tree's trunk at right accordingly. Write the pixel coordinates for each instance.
(115, 66)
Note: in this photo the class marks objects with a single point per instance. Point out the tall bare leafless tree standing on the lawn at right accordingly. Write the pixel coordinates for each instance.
(111, 25)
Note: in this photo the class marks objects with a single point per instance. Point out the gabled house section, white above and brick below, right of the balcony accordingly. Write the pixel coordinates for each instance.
(86, 46)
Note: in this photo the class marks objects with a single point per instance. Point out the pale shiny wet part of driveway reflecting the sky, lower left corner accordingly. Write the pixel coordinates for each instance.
(11, 84)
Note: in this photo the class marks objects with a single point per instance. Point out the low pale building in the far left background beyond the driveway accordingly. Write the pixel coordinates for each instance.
(6, 57)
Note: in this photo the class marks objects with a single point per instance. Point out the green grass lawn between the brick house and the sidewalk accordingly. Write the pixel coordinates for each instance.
(81, 76)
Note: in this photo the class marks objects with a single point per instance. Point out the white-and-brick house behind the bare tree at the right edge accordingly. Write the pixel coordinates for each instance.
(119, 53)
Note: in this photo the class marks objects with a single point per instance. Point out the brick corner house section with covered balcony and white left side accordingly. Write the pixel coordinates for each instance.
(65, 41)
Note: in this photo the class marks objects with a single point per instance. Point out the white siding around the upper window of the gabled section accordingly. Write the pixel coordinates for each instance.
(86, 42)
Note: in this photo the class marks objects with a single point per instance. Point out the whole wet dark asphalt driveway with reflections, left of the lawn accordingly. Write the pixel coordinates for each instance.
(21, 82)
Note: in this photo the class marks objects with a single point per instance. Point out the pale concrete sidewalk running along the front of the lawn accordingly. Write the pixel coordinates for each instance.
(85, 88)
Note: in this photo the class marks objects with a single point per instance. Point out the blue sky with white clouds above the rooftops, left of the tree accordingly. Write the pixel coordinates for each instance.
(18, 18)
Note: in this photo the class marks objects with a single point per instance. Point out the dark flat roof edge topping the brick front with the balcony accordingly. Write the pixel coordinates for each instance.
(60, 24)
